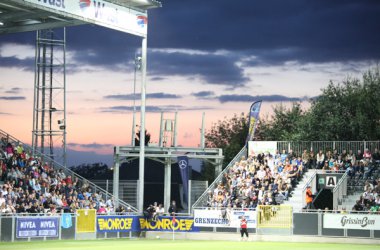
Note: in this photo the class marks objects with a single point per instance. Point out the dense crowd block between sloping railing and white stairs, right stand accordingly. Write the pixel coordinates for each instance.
(260, 179)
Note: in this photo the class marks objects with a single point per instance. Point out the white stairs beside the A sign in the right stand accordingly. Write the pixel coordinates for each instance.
(296, 201)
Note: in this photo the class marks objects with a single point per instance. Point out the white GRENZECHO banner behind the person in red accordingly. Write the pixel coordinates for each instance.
(223, 218)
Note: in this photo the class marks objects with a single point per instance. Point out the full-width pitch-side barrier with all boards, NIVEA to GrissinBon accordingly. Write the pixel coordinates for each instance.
(266, 220)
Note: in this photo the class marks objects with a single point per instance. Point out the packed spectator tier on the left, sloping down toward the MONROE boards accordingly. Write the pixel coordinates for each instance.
(36, 184)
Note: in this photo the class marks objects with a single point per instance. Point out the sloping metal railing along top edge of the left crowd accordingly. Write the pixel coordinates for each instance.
(68, 171)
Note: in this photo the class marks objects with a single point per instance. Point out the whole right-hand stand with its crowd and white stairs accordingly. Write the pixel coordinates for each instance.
(266, 179)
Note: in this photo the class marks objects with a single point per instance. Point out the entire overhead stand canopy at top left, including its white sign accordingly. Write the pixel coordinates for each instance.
(129, 16)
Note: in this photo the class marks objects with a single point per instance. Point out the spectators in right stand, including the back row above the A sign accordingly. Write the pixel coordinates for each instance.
(266, 179)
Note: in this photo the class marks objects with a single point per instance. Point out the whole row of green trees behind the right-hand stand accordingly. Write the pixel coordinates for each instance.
(345, 111)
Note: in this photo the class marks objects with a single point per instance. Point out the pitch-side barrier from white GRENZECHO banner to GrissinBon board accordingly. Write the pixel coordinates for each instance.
(279, 220)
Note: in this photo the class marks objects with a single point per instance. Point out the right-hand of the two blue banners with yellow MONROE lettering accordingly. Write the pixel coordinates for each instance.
(165, 223)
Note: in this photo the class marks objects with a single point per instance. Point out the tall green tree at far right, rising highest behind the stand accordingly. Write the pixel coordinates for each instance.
(346, 111)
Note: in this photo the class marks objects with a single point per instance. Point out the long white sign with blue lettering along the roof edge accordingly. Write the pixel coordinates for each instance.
(100, 12)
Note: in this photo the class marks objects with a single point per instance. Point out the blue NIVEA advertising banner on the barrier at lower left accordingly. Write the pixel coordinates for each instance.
(37, 227)
